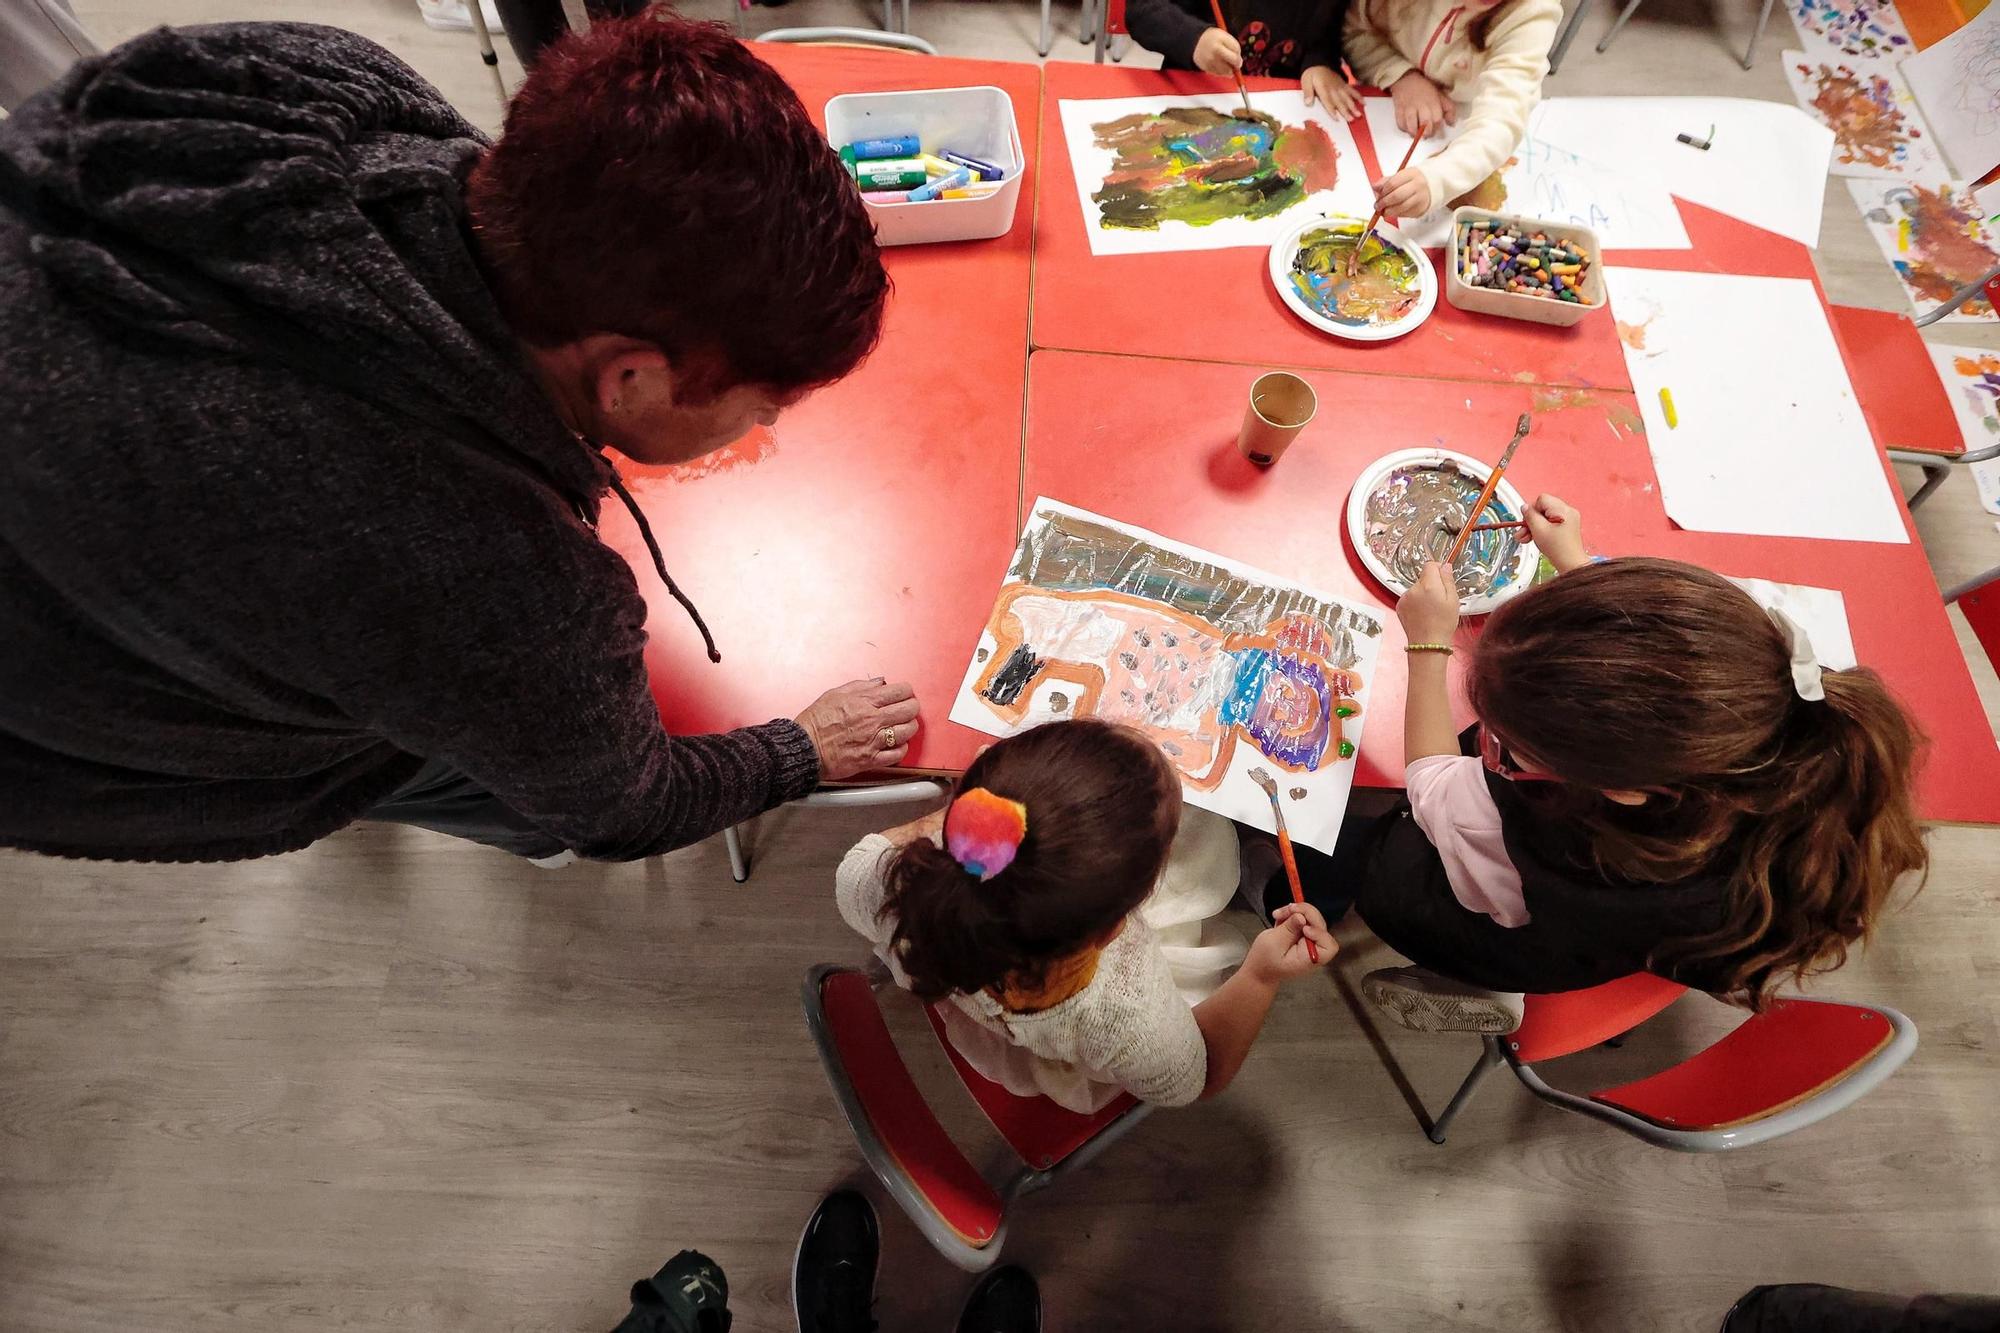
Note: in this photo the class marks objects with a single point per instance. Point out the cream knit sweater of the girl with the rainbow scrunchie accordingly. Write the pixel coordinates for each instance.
(1131, 1030)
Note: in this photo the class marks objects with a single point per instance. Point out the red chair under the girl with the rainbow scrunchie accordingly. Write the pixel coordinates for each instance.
(957, 1210)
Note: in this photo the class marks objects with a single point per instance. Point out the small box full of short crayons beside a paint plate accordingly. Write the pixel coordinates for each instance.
(1549, 273)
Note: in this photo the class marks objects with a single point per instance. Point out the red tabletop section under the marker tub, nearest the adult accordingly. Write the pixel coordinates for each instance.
(869, 531)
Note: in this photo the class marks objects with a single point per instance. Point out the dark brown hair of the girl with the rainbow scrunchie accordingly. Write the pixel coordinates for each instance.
(1103, 808)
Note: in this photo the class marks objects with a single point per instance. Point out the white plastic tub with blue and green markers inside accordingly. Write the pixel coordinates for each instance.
(933, 163)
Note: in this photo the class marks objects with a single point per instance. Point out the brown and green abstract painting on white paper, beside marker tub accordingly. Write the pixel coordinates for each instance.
(1185, 175)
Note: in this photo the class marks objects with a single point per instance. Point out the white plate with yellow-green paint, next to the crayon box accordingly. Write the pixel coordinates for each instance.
(1391, 291)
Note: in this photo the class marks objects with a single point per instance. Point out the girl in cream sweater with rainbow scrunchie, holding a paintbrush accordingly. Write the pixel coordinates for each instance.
(1023, 908)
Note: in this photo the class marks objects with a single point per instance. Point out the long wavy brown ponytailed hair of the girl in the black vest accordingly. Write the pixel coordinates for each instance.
(1661, 678)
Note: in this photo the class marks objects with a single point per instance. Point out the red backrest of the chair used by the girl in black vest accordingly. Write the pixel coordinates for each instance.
(1771, 1062)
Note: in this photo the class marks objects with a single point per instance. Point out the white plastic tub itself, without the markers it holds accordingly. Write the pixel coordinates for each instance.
(973, 121)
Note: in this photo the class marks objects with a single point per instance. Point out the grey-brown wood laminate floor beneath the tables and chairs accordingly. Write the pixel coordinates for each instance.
(407, 1084)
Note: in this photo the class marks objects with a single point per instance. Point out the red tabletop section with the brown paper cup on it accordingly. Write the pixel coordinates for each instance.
(1153, 443)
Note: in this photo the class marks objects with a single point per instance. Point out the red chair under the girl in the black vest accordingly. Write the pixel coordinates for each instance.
(1781, 1070)
